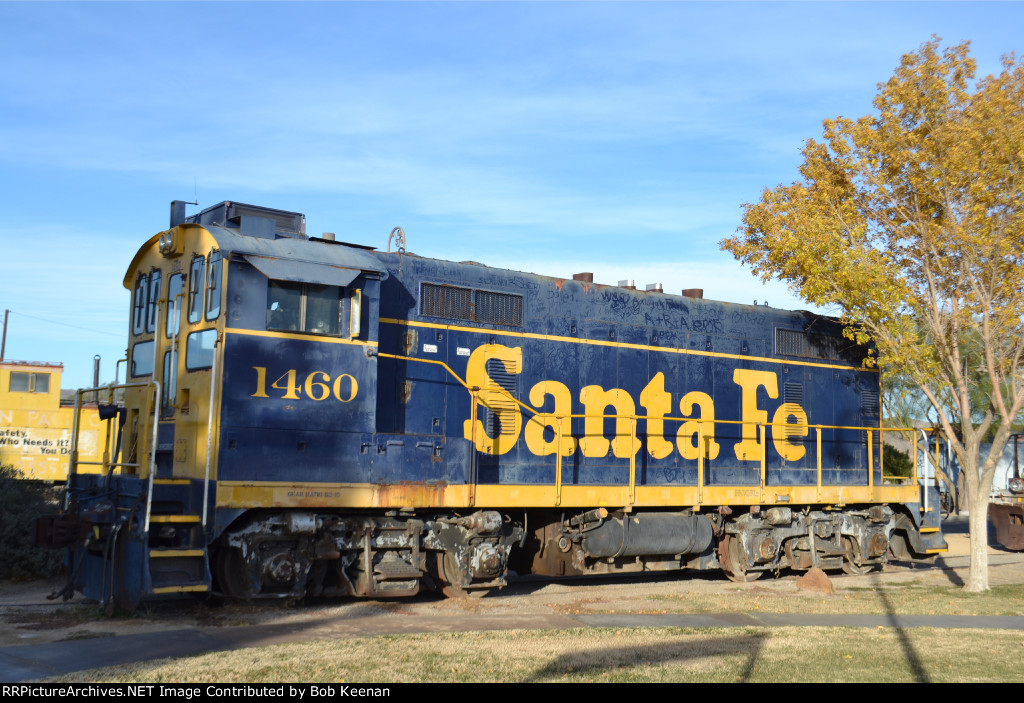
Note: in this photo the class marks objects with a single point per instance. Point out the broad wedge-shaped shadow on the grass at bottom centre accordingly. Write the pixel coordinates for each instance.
(595, 662)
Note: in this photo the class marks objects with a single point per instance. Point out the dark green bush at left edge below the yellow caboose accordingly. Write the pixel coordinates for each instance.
(21, 503)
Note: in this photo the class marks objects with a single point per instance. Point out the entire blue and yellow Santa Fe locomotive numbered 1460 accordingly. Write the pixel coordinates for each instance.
(310, 417)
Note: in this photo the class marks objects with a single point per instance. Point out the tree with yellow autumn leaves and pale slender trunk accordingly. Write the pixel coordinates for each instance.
(911, 222)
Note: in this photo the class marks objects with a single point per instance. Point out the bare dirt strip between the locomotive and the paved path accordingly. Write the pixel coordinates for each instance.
(28, 618)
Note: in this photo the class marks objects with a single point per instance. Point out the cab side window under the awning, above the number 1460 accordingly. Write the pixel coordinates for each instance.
(304, 307)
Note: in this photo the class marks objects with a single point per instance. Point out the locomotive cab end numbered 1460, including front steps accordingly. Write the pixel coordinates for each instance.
(242, 330)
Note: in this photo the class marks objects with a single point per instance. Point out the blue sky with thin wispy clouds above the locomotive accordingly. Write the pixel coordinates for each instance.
(620, 139)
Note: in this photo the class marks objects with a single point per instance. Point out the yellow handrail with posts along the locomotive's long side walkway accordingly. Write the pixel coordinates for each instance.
(703, 437)
